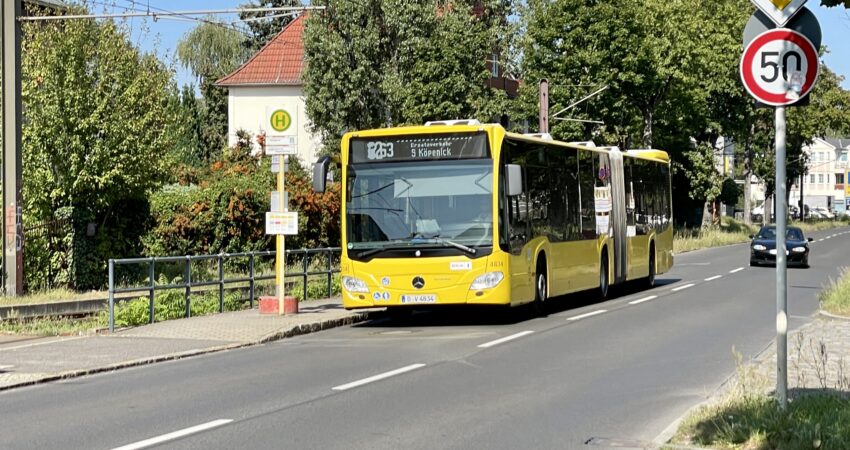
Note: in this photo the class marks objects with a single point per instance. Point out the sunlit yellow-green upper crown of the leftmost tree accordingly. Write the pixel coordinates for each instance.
(100, 116)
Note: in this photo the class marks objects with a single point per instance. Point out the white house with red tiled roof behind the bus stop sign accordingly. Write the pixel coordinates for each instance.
(266, 94)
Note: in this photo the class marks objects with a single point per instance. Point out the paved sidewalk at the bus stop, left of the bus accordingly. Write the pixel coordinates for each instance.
(30, 361)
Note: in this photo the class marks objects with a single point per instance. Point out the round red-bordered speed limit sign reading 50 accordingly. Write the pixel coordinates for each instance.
(779, 67)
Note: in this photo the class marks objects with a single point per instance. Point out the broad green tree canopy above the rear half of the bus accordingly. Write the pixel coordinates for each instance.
(670, 68)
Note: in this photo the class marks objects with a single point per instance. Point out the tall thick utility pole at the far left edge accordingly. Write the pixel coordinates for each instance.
(13, 237)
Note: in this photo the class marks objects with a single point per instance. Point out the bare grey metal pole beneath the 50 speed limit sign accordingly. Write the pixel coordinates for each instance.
(781, 264)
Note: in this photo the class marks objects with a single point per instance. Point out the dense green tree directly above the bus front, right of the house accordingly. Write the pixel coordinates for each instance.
(377, 63)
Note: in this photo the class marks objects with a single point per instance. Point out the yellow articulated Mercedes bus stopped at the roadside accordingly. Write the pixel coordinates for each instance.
(463, 213)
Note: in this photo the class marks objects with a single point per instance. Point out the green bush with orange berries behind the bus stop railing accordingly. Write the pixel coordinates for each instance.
(225, 211)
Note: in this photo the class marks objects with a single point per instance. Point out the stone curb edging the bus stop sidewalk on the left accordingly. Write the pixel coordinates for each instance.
(293, 331)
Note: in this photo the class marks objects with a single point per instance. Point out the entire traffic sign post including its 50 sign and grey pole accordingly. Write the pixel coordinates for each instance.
(778, 68)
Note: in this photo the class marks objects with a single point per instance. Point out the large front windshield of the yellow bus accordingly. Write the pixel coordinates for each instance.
(422, 203)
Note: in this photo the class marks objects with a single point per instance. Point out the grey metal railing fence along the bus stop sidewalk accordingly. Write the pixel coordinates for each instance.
(221, 281)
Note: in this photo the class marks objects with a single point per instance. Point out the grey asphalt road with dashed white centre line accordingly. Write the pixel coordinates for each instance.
(616, 371)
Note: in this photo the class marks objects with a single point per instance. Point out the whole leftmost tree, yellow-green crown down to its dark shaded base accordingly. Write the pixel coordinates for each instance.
(101, 124)
